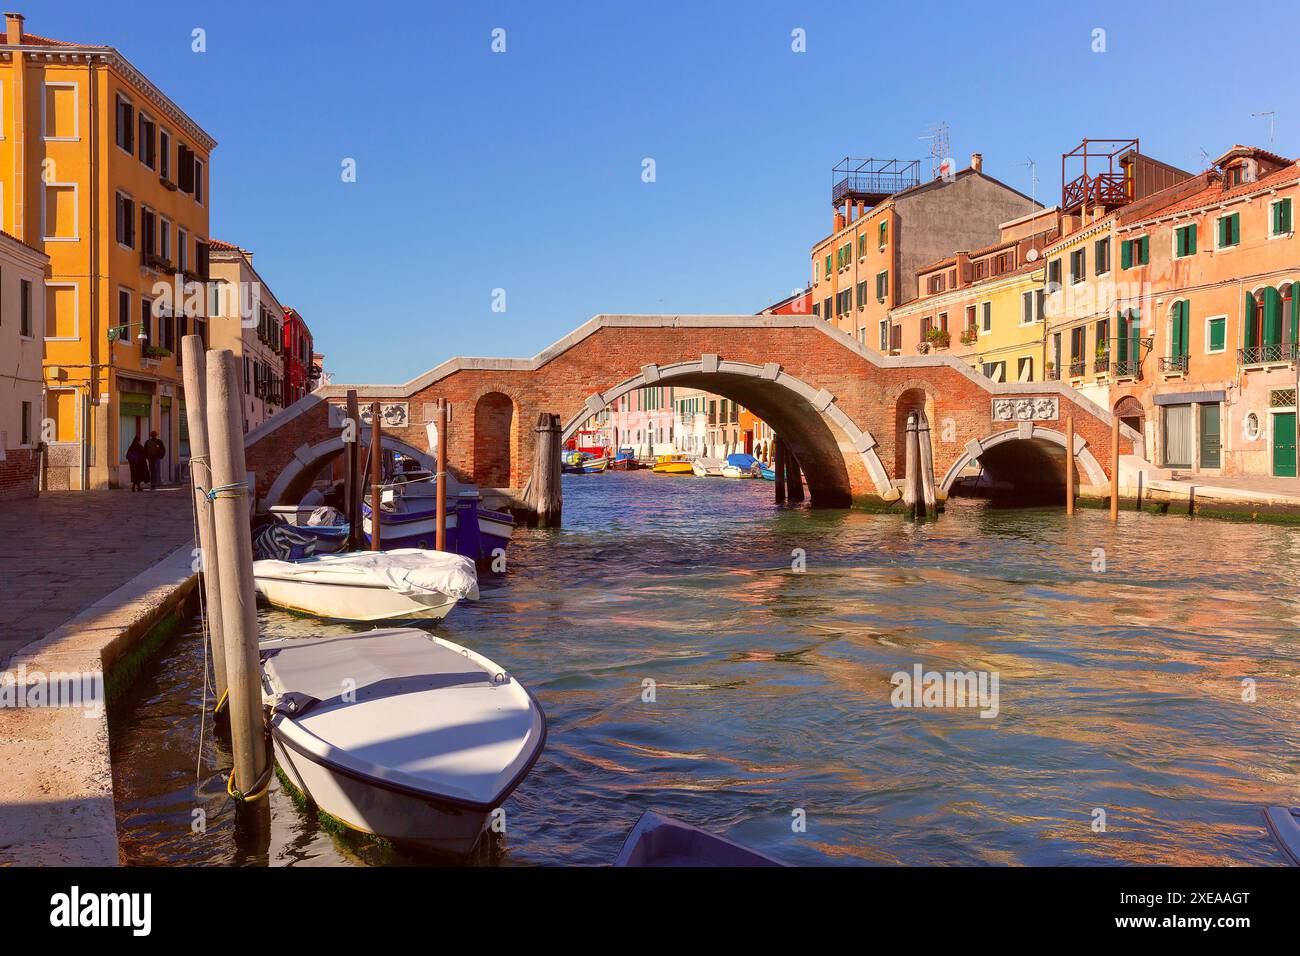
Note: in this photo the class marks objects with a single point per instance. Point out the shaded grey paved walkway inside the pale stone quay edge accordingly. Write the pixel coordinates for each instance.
(66, 551)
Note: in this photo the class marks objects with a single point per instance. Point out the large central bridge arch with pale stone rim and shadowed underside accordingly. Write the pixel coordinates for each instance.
(808, 419)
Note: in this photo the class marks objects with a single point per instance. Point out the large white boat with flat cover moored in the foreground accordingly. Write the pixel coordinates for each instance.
(401, 734)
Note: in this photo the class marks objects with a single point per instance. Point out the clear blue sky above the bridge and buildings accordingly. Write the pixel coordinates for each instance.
(522, 171)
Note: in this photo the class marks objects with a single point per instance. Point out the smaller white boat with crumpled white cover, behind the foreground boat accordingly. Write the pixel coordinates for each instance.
(370, 586)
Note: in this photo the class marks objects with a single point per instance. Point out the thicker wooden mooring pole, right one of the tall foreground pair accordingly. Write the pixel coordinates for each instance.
(231, 498)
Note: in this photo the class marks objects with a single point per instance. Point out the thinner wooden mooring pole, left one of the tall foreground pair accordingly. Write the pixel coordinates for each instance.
(194, 371)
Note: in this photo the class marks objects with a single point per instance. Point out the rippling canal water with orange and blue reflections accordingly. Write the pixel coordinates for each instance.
(1147, 708)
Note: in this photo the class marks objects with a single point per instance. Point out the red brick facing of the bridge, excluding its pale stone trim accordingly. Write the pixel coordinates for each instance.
(959, 408)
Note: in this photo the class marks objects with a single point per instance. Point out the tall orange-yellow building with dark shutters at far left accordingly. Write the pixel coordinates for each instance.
(110, 179)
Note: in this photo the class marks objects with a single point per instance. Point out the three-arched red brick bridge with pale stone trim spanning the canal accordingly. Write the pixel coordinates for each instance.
(838, 405)
